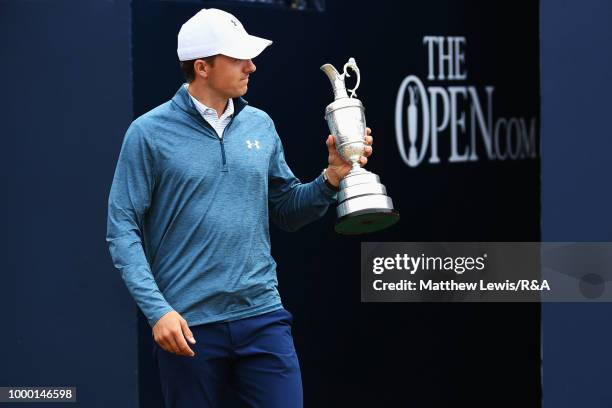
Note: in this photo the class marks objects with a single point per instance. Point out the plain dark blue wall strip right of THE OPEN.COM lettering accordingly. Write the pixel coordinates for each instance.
(576, 196)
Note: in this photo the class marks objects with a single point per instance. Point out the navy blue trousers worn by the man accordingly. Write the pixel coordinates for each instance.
(253, 357)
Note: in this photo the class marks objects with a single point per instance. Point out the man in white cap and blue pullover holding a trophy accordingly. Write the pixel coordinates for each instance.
(195, 185)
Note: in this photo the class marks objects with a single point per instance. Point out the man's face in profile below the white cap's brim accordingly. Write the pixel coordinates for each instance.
(229, 77)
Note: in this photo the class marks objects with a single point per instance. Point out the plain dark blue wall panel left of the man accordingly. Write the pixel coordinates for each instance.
(66, 87)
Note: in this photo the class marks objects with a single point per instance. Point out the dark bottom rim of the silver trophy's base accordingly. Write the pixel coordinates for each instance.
(366, 221)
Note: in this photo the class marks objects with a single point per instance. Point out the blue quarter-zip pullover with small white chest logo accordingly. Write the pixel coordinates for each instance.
(188, 212)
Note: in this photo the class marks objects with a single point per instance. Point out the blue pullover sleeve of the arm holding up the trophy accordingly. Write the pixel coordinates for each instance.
(294, 204)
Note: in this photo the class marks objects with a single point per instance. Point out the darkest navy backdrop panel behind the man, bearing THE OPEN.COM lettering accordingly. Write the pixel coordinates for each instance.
(355, 354)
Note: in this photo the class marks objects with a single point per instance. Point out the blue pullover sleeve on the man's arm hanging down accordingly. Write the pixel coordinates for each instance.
(128, 202)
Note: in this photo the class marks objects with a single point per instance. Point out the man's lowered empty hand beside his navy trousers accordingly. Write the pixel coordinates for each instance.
(170, 332)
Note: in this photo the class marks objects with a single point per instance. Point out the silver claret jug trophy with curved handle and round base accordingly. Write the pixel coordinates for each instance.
(363, 204)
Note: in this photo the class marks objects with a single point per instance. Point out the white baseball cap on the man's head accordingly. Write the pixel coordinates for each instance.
(212, 32)
